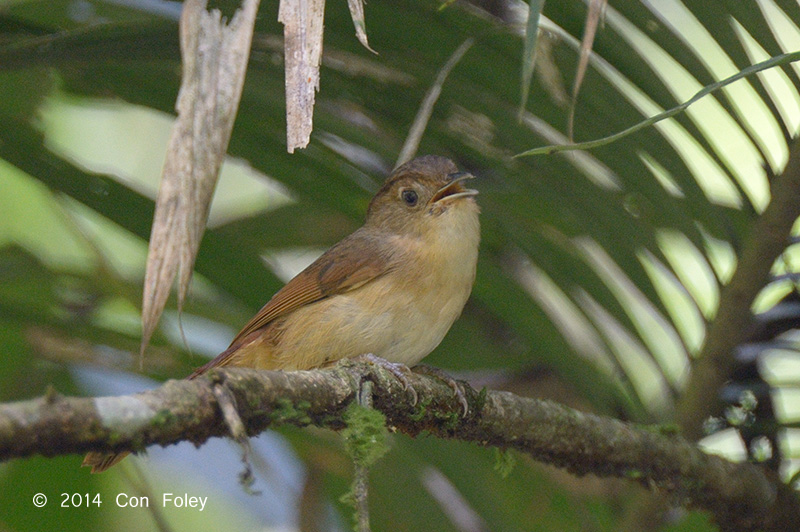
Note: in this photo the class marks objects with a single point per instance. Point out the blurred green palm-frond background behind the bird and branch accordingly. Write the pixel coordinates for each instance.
(599, 271)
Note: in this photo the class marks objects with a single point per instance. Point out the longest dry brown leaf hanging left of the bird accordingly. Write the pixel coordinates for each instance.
(214, 64)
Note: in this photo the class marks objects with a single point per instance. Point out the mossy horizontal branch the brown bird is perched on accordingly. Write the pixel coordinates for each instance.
(740, 496)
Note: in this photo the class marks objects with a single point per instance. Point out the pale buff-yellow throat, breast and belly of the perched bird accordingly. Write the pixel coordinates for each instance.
(401, 315)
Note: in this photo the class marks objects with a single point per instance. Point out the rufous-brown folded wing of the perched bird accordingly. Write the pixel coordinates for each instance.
(349, 264)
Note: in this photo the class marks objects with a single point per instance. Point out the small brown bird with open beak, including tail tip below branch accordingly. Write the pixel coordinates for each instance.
(391, 289)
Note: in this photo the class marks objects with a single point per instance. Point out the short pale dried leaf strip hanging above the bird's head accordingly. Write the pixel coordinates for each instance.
(302, 35)
